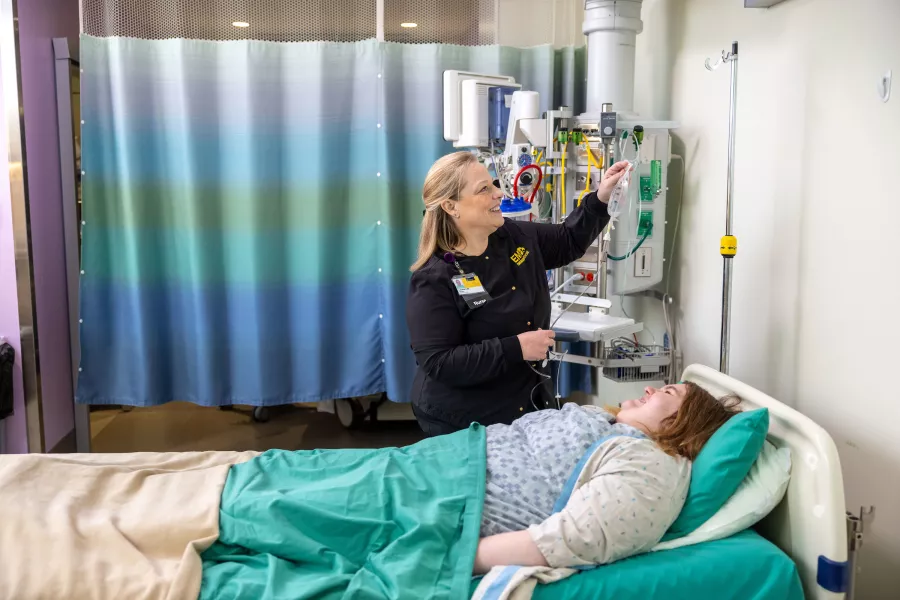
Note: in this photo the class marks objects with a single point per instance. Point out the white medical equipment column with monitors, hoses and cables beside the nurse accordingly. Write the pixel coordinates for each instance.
(546, 164)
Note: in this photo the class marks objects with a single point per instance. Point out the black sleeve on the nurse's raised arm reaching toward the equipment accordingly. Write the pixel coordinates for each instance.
(568, 241)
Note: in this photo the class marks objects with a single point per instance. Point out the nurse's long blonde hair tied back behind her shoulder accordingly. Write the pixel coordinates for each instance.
(444, 181)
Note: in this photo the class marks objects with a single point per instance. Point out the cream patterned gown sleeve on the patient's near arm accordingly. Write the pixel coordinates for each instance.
(624, 509)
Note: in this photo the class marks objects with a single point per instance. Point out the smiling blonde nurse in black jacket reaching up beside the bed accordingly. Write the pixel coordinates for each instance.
(478, 307)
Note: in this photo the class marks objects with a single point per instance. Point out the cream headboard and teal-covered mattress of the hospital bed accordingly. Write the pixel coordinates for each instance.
(798, 551)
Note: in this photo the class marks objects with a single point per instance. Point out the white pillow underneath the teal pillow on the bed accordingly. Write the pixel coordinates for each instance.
(760, 492)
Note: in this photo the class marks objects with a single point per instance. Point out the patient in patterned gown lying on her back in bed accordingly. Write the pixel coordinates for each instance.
(639, 482)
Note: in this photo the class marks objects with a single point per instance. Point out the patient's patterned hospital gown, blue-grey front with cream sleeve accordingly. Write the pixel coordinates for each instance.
(634, 494)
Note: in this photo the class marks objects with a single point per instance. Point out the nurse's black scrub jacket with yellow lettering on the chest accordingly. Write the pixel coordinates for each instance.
(469, 361)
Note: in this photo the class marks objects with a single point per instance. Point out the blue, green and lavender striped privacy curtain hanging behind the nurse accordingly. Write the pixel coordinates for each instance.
(251, 210)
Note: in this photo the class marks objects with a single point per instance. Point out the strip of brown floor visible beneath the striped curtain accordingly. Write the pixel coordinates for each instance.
(180, 427)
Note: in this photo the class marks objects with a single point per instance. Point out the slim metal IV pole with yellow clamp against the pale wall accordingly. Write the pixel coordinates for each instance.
(728, 244)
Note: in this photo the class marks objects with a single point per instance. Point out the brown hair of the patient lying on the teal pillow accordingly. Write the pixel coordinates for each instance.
(698, 418)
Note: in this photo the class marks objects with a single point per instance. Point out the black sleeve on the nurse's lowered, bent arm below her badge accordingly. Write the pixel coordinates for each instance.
(436, 331)
